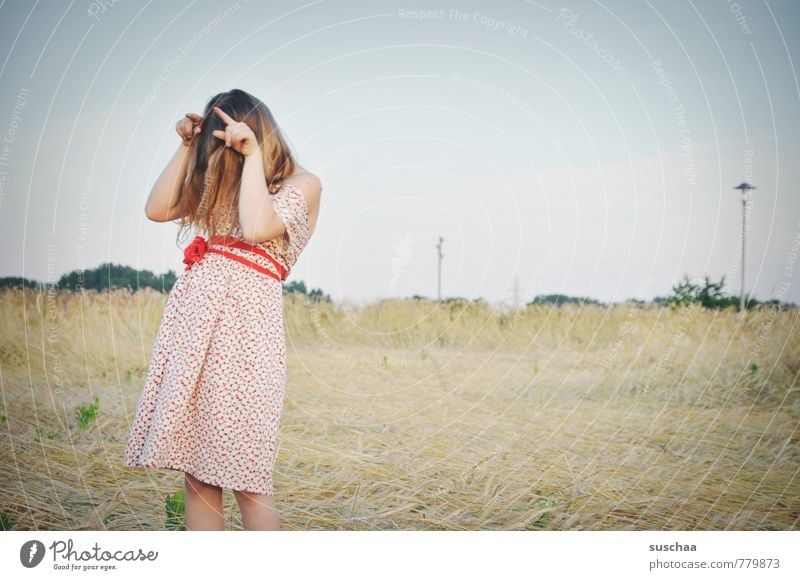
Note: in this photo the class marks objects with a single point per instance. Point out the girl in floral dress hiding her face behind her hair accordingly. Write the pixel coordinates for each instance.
(214, 391)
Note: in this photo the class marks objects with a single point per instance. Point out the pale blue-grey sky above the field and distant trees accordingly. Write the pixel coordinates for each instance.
(582, 148)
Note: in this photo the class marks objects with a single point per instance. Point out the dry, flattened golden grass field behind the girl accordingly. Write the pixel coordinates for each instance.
(414, 415)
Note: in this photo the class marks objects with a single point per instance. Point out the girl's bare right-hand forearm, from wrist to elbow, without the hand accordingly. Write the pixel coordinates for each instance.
(257, 216)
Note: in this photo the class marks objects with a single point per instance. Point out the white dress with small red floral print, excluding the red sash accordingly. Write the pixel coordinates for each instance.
(213, 395)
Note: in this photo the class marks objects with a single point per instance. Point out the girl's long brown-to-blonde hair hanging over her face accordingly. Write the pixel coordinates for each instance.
(209, 195)
